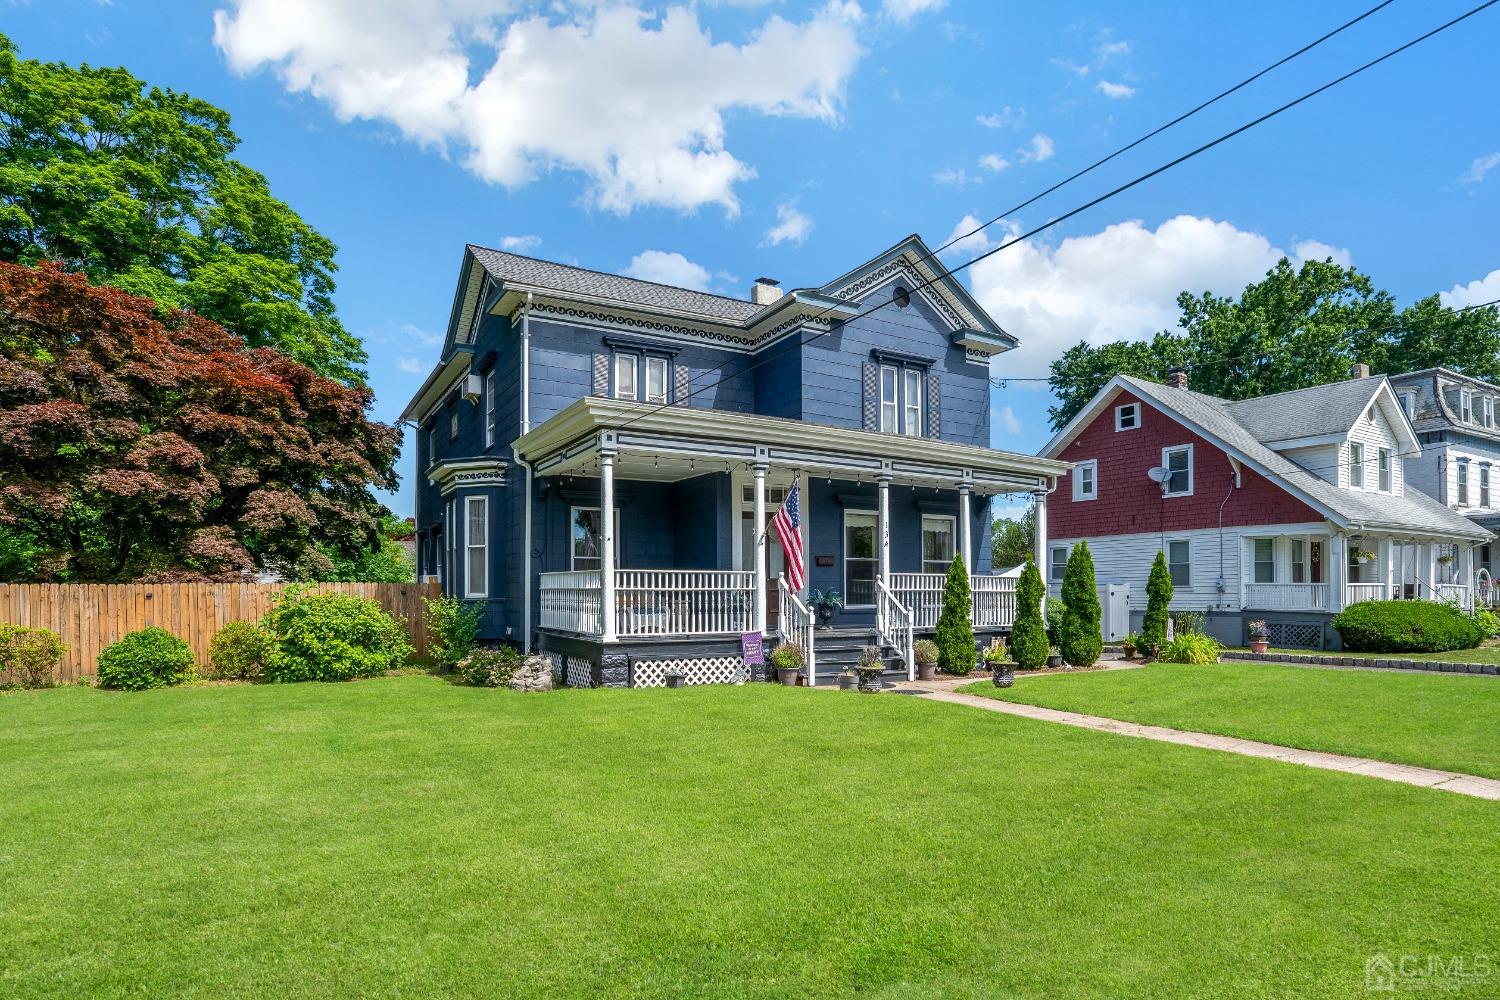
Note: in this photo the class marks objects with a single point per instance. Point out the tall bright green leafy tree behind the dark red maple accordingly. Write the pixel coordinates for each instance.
(137, 188)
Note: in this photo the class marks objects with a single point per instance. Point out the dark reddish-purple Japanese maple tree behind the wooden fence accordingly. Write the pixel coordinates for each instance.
(139, 443)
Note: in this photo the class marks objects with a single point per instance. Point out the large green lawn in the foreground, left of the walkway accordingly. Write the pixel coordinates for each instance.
(404, 837)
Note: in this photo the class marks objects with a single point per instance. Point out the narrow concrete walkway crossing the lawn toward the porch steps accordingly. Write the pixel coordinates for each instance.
(1406, 774)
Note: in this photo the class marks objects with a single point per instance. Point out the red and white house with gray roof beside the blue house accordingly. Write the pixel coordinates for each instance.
(1283, 509)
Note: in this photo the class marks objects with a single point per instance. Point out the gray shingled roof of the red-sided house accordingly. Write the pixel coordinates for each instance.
(1414, 510)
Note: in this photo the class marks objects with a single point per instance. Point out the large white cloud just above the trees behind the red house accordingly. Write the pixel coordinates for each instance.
(1118, 284)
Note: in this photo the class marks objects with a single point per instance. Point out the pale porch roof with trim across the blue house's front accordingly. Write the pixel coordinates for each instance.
(677, 440)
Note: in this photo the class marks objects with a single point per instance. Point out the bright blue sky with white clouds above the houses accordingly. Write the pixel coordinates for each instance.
(715, 143)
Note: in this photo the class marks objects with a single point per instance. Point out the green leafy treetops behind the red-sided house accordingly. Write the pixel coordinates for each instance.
(1297, 328)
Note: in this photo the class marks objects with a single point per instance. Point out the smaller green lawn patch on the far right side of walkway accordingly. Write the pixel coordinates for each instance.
(1435, 720)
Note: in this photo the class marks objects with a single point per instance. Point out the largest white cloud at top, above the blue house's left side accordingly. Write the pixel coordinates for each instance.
(634, 101)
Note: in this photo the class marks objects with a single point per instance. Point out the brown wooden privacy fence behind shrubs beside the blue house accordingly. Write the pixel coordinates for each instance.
(89, 617)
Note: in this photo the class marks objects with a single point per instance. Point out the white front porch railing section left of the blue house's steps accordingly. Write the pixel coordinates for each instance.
(683, 602)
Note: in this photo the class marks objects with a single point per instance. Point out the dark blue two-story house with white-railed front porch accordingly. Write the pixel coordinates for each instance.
(599, 458)
